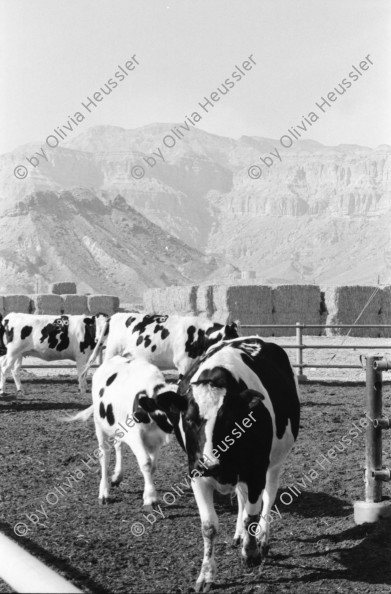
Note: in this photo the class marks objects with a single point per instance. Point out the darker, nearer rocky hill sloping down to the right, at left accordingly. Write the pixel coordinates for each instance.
(105, 247)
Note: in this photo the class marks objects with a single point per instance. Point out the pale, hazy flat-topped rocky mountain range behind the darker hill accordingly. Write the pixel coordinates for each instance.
(316, 214)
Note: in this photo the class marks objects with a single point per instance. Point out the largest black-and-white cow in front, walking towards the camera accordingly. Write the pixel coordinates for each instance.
(239, 419)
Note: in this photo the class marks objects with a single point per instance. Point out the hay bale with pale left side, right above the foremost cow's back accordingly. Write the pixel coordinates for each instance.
(250, 304)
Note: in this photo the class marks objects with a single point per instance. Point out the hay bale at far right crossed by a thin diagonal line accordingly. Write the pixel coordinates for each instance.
(344, 305)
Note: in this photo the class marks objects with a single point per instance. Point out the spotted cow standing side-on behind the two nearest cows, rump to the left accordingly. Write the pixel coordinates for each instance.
(168, 341)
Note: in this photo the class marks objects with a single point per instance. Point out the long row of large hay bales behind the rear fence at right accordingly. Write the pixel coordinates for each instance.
(278, 304)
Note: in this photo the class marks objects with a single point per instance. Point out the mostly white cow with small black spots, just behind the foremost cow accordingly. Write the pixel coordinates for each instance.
(117, 387)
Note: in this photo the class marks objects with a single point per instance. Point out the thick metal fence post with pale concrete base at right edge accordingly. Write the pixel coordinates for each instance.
(374, 507)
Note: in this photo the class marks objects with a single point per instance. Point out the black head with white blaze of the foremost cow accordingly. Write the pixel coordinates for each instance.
(206, 409)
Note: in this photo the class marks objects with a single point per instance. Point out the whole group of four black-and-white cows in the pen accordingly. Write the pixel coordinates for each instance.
(225, 382)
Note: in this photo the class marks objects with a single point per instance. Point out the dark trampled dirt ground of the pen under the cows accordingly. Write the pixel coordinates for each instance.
(315, 545)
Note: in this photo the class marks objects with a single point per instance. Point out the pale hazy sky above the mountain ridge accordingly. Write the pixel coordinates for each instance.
(54, 53)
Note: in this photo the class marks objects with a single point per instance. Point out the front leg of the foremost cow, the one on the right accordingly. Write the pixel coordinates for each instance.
(251, 554)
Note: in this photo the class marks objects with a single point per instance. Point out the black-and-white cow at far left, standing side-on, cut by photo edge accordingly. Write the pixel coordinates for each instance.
(51, 338)
